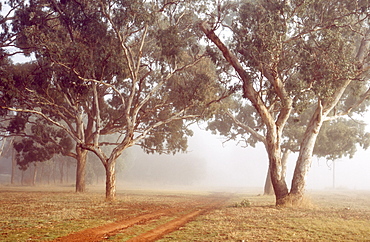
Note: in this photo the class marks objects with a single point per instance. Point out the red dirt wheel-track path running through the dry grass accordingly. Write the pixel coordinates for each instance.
(197, 207)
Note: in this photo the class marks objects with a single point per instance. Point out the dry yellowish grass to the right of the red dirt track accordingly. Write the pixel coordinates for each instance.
(330, 220)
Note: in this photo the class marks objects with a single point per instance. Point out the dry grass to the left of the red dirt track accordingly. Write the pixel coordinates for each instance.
(37, 214)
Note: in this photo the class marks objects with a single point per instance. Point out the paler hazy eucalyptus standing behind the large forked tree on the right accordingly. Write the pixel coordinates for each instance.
(338, 138)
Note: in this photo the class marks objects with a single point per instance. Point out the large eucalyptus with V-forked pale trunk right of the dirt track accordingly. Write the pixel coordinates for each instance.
(291, 55)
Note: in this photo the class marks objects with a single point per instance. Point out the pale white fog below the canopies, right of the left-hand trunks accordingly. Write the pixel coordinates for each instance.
(211, 163)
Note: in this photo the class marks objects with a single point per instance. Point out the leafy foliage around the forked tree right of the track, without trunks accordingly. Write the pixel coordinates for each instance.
(309, 45)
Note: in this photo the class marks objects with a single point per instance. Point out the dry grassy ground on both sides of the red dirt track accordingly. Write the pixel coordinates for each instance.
(43, 215)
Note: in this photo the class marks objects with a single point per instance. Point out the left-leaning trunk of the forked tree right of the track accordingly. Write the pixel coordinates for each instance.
(274, 128)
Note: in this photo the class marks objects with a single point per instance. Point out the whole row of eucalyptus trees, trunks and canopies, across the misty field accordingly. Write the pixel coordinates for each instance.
(106, 75)
